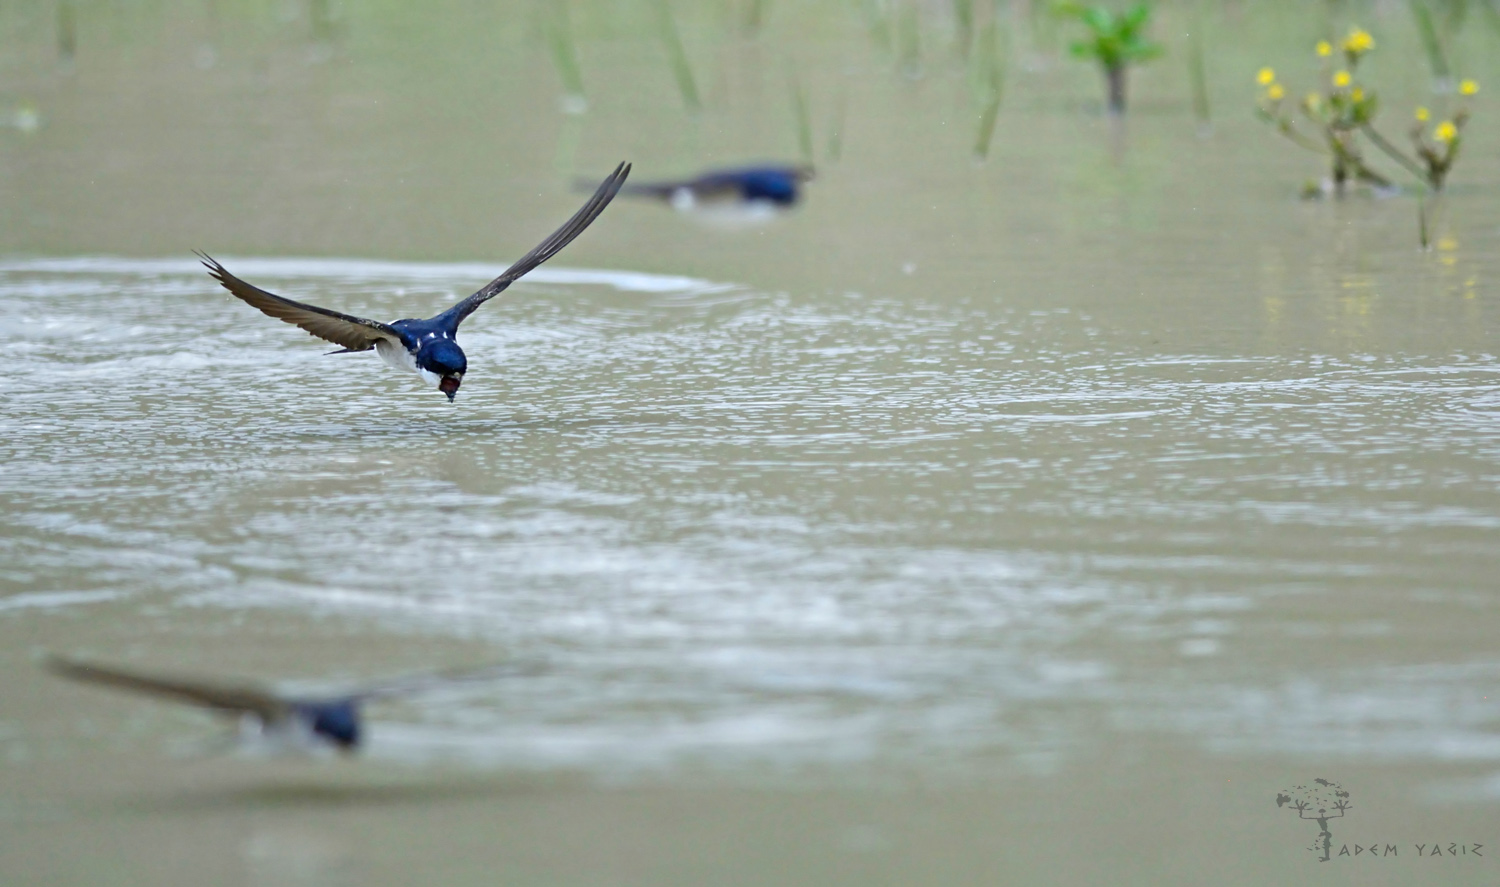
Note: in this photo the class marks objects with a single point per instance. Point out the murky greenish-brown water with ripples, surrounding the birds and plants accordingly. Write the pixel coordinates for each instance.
(1042, 517)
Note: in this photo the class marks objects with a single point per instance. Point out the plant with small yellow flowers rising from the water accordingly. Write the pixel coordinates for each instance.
(1330, 121)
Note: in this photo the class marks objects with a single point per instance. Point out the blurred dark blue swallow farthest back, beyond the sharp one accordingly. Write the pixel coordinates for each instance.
(743, 194)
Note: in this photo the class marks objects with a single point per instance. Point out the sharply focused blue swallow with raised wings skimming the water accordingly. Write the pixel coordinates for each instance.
(427, 347)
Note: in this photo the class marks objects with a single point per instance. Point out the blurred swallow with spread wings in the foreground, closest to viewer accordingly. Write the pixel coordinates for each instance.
(277, 723)
